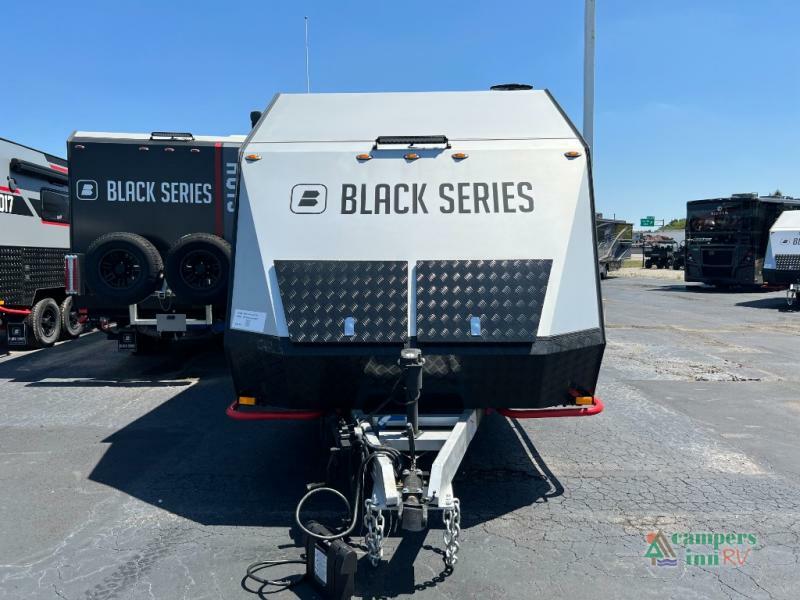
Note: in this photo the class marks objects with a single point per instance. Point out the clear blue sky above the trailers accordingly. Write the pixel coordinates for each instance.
(694, 99)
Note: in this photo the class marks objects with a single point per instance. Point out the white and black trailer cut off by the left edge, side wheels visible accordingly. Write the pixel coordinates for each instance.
(34, 237)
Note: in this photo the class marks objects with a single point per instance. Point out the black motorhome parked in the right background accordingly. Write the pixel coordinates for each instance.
(726, 238)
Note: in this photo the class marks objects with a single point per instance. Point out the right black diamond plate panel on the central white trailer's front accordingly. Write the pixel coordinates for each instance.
(506, 295)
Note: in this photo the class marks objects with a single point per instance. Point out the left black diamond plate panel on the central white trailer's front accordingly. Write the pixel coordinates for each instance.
(319, 295)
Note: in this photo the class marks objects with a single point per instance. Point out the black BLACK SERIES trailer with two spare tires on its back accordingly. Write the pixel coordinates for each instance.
(152, 216)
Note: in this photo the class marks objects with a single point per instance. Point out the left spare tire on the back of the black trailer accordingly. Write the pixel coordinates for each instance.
(123, 267)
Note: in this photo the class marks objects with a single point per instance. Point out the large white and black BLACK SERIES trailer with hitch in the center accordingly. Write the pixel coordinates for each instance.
(443, 241)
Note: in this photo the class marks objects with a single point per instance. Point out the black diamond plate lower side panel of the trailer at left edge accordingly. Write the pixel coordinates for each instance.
(23, 270)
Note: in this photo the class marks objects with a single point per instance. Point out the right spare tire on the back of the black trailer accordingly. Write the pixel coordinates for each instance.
(198, 266)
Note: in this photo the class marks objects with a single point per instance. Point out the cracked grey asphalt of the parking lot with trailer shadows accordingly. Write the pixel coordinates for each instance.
(121, 478)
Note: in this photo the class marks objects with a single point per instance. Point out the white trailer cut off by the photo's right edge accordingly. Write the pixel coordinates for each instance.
(782, 260)
